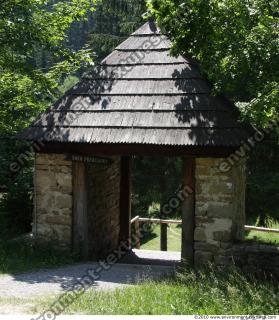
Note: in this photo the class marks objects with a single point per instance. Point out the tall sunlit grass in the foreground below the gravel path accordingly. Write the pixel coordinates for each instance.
(205, 293)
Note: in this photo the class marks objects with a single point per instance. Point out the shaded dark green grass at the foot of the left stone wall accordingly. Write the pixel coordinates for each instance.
(22, 255)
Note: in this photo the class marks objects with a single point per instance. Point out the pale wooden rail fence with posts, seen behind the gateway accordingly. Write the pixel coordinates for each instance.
(164, 229)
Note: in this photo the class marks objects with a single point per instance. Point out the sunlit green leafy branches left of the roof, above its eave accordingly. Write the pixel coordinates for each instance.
(26, 26)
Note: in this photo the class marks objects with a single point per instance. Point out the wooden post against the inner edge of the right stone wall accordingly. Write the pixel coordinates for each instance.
(188, 212)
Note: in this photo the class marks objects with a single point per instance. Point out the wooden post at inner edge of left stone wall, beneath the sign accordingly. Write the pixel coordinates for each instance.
(80, 220)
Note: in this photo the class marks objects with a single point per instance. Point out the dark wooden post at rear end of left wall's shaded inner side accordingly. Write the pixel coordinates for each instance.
(125, 200)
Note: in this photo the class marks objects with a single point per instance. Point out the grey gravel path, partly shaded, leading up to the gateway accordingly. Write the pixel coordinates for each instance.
(55, 281)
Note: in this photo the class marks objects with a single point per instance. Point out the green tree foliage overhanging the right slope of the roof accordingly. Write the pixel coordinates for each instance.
(236, 42)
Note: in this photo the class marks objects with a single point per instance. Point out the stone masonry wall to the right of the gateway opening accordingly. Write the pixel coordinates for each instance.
(220, 210)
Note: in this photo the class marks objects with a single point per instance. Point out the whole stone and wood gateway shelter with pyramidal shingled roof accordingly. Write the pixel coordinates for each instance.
(139, 101)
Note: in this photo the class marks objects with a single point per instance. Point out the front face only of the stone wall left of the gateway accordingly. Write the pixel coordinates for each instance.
(53, 199)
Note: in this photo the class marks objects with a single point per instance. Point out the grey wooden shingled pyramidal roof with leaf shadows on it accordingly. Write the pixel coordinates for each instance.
(140, 94)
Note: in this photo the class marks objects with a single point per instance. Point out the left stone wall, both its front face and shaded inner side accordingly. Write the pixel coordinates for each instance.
(53, 214)
